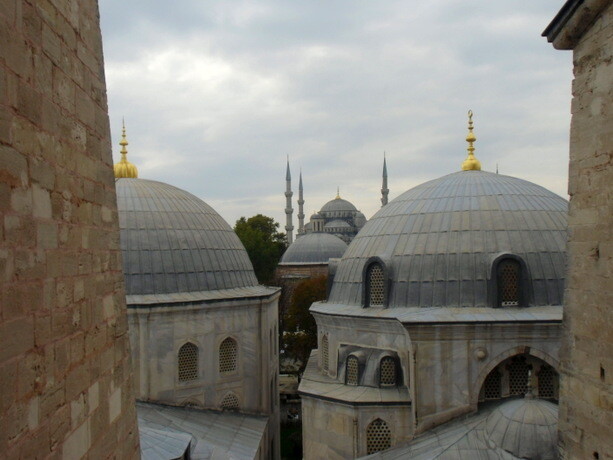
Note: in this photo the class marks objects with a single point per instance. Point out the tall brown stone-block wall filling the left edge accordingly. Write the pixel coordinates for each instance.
(65, 375)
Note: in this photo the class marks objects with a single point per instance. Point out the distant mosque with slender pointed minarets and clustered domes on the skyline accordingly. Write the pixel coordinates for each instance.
(337, 217)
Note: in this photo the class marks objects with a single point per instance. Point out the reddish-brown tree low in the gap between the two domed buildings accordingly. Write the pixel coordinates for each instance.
(300, 336)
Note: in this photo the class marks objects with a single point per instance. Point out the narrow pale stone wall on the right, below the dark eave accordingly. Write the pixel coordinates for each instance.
(586, 399)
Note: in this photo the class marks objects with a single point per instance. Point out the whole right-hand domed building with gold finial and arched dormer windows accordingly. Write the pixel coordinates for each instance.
(440, 337)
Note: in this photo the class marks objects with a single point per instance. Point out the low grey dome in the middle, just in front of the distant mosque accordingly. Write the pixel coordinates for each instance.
(314, 248)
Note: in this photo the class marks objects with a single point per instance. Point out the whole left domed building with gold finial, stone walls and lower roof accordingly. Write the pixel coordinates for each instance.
(203, 333)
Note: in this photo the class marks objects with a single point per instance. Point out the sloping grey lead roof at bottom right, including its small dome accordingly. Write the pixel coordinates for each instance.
(481, 435)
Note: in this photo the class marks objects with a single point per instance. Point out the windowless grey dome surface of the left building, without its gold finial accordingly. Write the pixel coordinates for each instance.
(174, 242)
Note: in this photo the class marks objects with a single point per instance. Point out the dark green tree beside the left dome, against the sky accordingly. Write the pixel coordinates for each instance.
(264, 244)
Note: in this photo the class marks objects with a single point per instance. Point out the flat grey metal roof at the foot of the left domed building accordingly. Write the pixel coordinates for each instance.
(213, 435)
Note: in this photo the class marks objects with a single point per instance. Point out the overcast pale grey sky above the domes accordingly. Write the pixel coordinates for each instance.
(216, 95)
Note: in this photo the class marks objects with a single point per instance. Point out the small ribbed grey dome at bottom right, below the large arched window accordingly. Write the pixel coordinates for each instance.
(526, 428)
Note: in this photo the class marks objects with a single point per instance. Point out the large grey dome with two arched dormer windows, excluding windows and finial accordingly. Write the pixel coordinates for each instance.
(439, 241)
